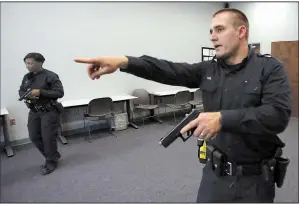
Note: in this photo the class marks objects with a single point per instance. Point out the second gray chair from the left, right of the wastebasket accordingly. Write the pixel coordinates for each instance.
(142, 102)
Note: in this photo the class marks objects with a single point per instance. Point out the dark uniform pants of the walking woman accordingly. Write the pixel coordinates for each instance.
(43, 130)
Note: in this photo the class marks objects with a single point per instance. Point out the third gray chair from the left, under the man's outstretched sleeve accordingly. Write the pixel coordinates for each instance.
(181, 101)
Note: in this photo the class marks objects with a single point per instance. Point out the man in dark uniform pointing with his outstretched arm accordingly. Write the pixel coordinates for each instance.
(246, 97)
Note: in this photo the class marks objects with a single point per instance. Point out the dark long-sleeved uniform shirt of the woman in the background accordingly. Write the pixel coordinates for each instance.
(47, 81)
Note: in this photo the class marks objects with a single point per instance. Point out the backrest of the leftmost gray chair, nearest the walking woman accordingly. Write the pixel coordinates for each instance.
(100, 106)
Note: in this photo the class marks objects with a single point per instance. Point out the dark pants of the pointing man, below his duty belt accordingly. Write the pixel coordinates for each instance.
(229, 189)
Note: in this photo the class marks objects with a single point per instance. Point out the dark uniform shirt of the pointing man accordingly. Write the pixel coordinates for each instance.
(254, 98)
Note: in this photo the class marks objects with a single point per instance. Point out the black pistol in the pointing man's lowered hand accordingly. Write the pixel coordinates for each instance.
(175, 132)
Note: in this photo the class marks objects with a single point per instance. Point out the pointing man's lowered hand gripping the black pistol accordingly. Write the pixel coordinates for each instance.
(207, 125)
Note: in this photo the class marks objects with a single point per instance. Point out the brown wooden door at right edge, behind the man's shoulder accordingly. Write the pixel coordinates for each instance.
(287, 53)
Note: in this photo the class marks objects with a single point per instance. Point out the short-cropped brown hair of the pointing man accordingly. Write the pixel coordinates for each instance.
(239, 18)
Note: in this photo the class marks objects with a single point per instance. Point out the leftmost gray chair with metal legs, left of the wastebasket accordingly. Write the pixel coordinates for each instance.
(99, 109)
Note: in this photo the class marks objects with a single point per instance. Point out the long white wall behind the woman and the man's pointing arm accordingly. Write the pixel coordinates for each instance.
(63, 31)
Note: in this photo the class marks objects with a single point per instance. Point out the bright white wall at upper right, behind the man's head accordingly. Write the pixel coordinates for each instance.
(270, 22)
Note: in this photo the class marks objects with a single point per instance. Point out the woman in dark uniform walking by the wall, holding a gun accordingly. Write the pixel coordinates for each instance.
(44, 116)
